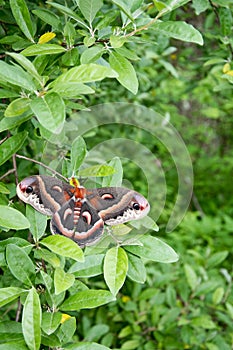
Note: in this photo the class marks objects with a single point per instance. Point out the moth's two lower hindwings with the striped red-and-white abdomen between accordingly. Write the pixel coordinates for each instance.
(78, 222)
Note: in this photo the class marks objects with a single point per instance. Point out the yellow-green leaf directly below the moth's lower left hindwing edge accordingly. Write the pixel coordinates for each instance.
(63, 246)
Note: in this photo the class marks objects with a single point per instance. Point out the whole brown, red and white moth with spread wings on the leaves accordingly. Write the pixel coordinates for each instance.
(80, 213)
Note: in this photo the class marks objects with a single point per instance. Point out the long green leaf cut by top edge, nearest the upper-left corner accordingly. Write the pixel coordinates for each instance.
(22, 17)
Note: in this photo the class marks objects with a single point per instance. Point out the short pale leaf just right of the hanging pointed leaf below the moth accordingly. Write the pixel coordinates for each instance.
(136, 271)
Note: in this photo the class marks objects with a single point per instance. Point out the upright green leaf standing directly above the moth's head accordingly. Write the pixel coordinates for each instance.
(78, 153)
